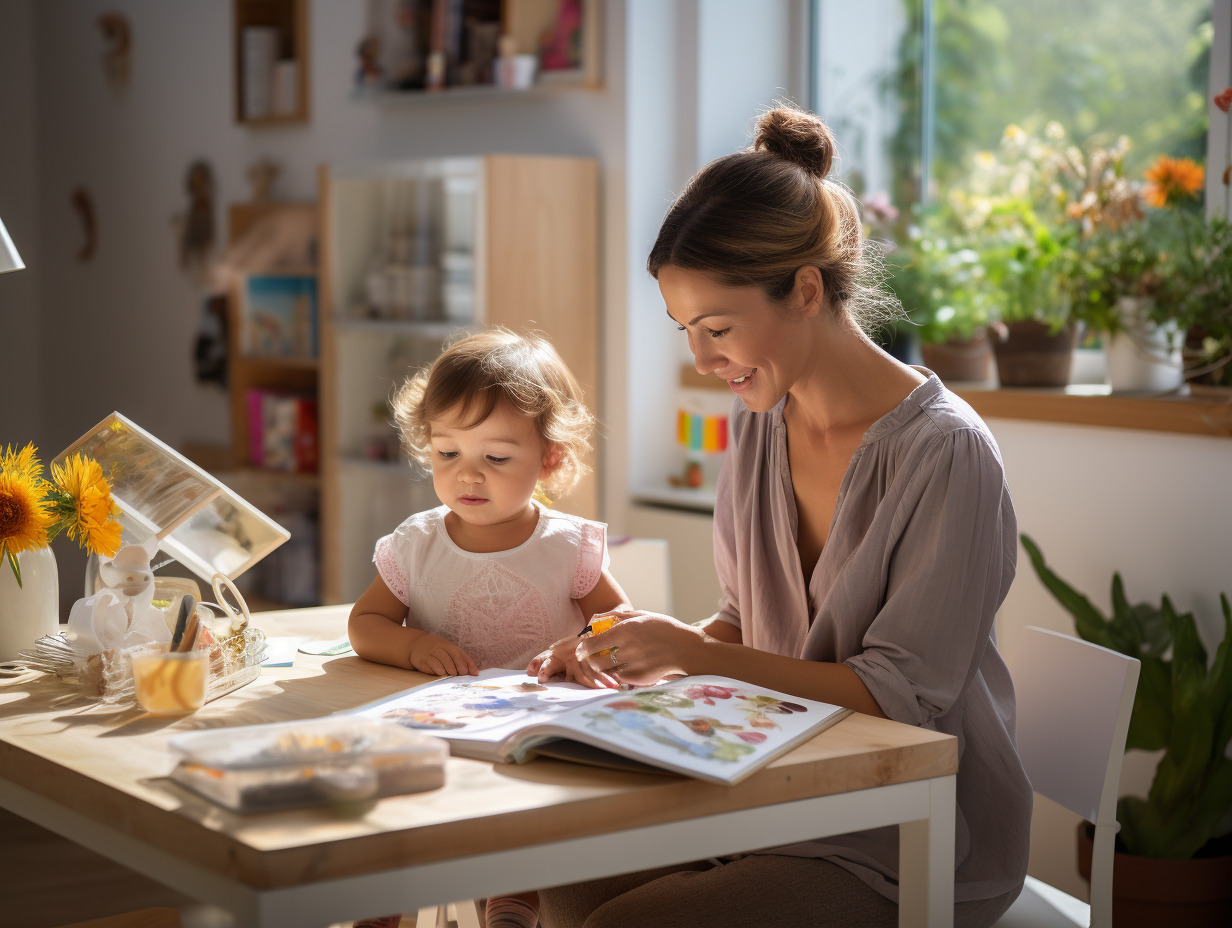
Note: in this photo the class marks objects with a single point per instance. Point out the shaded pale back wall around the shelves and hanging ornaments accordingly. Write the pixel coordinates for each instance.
(118, 331)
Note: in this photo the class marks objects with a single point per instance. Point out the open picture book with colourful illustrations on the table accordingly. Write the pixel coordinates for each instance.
(710, 728)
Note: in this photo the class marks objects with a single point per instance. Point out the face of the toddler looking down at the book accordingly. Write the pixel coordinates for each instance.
(487, 474)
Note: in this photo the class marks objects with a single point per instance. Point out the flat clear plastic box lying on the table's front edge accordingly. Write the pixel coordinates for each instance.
(321, 761)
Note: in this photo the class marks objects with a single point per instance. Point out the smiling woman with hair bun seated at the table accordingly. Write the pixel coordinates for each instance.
(864, 539)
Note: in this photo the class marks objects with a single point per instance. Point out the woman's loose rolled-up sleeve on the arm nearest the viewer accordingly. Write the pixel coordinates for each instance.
(944, 580)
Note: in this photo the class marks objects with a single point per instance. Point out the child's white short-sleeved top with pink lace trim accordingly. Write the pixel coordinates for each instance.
(505, 607)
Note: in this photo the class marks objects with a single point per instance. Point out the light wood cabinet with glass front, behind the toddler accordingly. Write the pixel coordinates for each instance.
(412, 253)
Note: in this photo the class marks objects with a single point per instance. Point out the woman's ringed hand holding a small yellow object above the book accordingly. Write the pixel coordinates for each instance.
(647, 648)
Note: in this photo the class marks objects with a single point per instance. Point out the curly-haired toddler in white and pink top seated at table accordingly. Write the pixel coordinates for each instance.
(491, 577)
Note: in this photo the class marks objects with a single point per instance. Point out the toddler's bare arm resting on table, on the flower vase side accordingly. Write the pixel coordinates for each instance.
(378, 634)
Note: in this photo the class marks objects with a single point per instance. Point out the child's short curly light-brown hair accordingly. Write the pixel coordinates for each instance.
(501, 367)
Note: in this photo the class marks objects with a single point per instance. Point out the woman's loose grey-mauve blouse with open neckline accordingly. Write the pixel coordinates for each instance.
(920, 556)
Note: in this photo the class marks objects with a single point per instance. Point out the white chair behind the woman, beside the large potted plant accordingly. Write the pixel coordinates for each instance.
(1074, 713)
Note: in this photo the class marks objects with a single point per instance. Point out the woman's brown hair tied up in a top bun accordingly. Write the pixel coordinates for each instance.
(756, 218)
